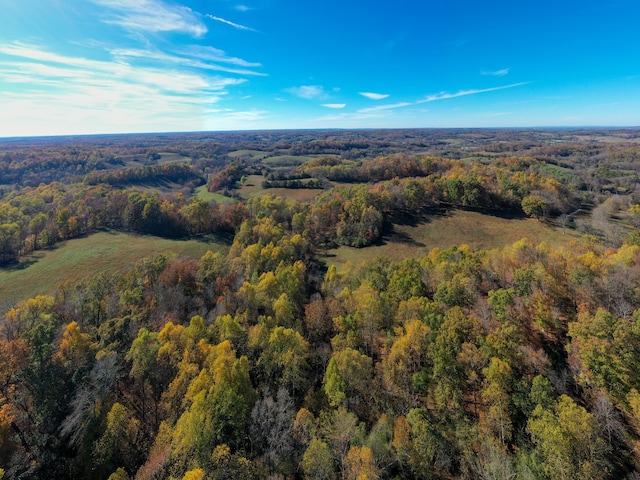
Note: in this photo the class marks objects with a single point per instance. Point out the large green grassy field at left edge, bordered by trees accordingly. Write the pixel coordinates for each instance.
(81, 258)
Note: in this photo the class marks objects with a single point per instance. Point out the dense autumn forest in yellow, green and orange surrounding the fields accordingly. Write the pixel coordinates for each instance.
(266, 360)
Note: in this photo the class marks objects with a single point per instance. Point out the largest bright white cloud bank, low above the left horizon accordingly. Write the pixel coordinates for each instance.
(94, 96)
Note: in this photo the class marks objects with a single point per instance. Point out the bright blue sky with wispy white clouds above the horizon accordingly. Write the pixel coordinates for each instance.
(110, 66)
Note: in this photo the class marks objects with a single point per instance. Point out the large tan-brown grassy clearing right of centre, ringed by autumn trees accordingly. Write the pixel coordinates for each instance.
(479, 231)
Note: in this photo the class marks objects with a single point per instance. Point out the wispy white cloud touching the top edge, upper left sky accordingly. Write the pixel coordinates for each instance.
(152, 16)
